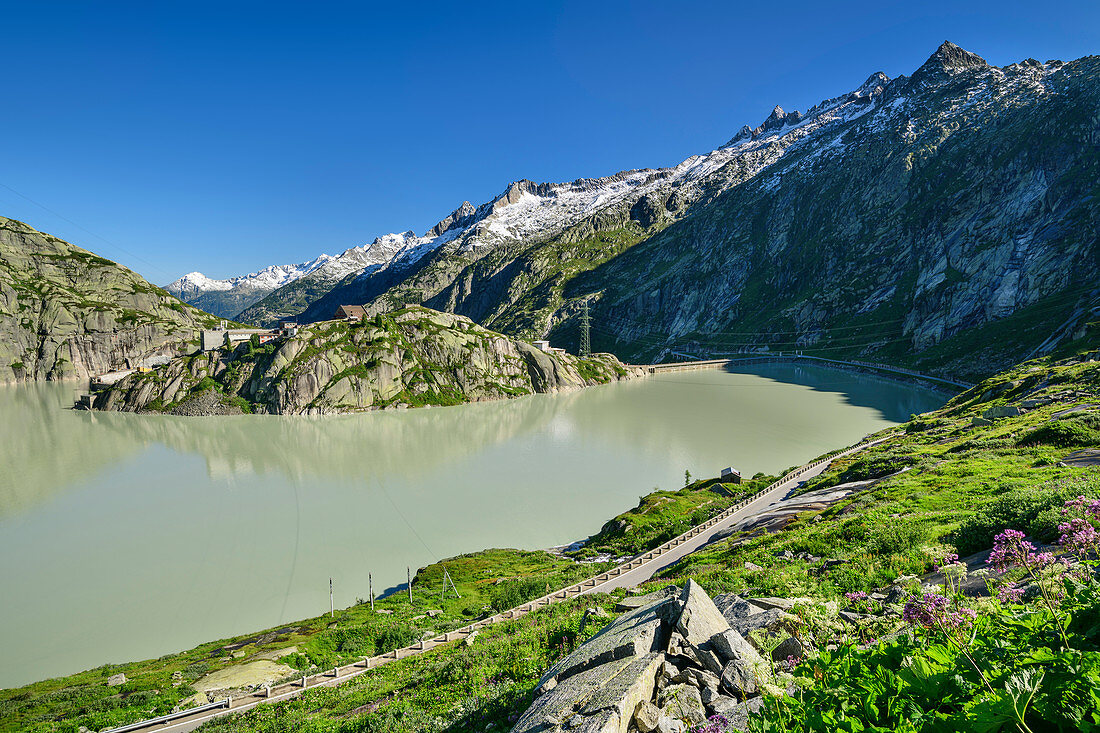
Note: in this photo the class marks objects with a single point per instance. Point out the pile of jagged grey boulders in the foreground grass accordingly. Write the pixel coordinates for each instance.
(673, 662)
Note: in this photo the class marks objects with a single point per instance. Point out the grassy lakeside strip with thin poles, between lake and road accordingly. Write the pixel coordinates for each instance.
(487, 582)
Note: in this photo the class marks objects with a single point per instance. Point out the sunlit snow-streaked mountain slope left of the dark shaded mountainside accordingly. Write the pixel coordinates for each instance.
(508, 262)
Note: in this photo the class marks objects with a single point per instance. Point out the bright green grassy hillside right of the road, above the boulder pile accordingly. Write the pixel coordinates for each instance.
(958, 472)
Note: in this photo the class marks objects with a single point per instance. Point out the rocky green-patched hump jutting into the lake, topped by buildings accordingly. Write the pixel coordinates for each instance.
(409, 358)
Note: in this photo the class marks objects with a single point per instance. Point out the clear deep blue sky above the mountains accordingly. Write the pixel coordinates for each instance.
(226, 137)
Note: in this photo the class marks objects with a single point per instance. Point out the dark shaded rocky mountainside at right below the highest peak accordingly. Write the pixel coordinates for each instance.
(953, 224)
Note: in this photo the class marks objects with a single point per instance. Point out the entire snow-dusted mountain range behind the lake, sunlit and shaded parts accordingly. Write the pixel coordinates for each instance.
(947, 220)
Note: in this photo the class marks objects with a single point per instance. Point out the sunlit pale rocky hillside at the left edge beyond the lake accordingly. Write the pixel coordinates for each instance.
(68, 313)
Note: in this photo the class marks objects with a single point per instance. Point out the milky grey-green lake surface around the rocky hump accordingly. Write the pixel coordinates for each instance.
(131, 537)
